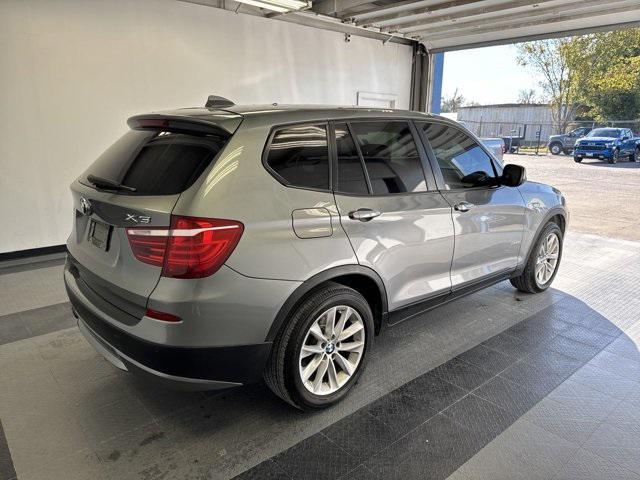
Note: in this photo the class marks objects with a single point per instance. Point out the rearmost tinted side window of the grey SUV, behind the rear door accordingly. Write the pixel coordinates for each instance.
(299, 155)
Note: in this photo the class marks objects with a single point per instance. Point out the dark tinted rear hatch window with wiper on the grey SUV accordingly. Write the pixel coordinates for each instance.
(156, 162)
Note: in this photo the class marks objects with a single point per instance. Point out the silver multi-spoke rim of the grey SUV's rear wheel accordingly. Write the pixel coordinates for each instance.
(332, 350)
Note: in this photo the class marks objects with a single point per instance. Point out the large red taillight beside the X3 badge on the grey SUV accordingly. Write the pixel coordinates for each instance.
(190, 248)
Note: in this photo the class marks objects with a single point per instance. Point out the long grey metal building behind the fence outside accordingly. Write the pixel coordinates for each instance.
(508, 119)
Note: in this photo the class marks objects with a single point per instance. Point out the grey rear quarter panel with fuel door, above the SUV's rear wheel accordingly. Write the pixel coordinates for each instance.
(239, 187)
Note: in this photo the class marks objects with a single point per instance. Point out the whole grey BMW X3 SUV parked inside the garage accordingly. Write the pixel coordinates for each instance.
(213, 247)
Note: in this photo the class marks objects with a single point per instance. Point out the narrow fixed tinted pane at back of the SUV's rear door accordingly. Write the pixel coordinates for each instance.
(351, 177)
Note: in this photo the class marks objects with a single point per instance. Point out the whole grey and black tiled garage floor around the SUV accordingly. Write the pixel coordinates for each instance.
(496, 385)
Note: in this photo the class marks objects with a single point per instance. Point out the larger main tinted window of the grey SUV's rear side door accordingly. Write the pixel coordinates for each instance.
(390, 156)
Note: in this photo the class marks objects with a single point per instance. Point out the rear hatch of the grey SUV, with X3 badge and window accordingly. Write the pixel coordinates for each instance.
(135, 184)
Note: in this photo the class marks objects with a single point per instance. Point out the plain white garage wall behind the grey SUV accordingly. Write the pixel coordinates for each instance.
(71, 72)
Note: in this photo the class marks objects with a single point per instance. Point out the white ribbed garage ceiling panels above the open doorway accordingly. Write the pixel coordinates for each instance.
(455, 24)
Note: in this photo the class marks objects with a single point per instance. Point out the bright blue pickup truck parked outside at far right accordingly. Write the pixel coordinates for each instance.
(610, 144)
